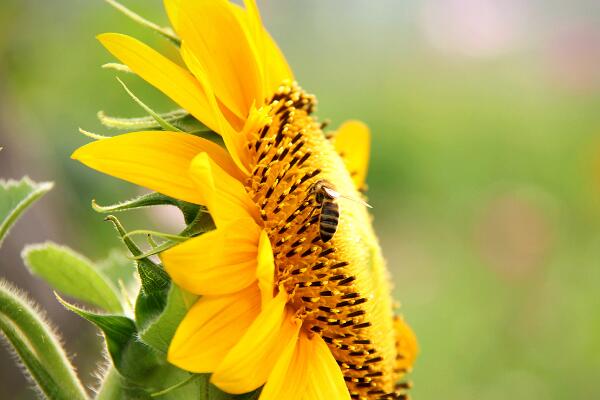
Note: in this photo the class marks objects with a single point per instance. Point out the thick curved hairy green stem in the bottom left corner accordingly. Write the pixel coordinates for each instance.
(37, 346)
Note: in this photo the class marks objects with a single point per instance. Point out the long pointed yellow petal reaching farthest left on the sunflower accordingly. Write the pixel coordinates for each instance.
(157, 160)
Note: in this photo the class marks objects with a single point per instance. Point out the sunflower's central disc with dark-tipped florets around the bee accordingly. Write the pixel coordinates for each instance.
(339, 288)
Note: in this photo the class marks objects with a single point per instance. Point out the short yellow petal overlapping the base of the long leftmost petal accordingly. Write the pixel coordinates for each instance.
(226, 198)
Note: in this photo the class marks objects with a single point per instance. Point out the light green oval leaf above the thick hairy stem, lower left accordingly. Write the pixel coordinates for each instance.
(72, 274)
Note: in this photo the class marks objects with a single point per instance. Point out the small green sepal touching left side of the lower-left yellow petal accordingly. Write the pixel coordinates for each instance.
(160, 331)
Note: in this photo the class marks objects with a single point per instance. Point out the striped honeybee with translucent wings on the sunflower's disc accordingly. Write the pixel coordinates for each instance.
(329, 211)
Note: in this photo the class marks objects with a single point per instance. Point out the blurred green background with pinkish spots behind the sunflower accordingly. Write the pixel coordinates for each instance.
(485, 170)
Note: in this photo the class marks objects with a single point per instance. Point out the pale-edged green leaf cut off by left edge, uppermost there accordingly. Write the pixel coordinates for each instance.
(15, 197)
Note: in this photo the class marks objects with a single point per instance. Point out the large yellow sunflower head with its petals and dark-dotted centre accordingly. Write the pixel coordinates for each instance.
(280, 307)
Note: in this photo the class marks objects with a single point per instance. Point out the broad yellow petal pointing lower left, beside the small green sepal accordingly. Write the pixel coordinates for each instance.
(211, 328)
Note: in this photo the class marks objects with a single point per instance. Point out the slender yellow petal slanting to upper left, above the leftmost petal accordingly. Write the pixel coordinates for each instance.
(168, 77)
